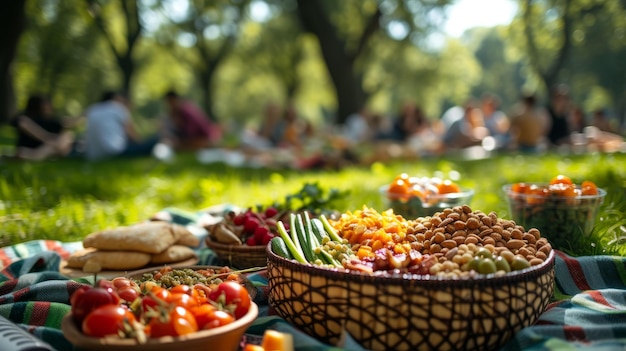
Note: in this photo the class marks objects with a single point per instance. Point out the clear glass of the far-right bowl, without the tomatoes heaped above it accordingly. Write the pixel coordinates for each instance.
(561, 219)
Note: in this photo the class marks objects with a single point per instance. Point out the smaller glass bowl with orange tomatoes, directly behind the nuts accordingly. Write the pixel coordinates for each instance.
(413, 197)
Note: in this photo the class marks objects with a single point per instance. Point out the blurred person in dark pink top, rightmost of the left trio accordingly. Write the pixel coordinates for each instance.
(188, 128)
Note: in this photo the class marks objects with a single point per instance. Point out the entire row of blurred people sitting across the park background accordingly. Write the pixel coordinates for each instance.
(110, 132)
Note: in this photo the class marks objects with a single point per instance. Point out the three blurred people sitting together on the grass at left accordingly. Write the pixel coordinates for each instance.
(109, 130)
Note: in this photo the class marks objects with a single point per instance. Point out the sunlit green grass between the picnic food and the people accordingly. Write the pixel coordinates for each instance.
(67, 199)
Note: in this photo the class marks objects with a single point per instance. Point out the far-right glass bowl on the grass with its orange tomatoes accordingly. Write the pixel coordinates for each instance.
(562, 210)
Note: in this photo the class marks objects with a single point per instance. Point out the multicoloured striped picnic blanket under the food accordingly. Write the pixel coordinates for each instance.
(589, 311)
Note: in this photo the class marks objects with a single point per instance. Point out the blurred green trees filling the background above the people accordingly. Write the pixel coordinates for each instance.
(329, 58)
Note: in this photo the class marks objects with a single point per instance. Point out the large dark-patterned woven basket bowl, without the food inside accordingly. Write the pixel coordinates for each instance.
(408, 312)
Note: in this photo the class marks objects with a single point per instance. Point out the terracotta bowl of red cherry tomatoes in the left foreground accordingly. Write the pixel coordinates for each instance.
(142, 312)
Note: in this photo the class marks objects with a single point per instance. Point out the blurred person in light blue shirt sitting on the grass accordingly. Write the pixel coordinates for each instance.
(110, 131)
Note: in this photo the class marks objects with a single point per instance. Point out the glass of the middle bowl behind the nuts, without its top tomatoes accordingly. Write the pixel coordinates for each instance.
(415, 206)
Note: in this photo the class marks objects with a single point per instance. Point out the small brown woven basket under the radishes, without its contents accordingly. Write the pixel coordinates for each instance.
(239, 256)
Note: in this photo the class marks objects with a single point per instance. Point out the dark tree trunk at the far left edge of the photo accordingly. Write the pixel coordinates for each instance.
(12, 18)
